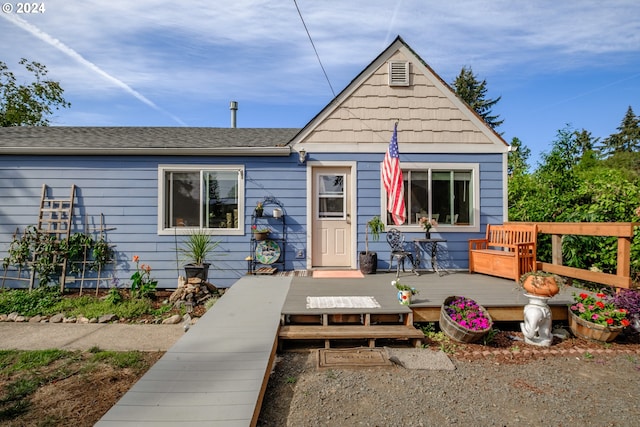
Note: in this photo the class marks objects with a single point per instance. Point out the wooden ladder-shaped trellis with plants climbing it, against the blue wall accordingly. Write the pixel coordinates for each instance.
(55, 219)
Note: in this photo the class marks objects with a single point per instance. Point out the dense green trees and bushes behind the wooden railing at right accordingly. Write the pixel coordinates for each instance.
(572, 184)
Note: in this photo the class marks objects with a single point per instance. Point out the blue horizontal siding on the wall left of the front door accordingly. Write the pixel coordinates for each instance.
(125, 191)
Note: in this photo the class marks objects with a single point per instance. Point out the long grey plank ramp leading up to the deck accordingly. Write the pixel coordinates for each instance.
(214, 375)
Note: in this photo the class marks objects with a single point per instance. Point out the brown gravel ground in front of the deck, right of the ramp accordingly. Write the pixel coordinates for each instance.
(590, 386)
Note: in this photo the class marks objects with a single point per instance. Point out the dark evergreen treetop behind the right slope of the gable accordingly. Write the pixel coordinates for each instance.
(474, 92)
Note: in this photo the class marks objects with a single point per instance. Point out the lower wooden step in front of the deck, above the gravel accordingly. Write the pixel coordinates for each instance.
(351, 332)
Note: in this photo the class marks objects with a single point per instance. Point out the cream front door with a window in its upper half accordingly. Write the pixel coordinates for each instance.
(331, 225)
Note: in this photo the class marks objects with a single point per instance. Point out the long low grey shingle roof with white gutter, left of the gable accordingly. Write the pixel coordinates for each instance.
(144, 141)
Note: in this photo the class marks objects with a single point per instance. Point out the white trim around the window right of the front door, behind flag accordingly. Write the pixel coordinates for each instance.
(409, 228)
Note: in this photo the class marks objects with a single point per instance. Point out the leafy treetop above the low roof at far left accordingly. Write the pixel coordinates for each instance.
(28, 104)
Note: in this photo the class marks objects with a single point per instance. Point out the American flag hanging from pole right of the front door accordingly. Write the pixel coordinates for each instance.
(392, 180)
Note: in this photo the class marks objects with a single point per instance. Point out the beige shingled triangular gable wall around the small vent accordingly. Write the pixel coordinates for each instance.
(432, 118)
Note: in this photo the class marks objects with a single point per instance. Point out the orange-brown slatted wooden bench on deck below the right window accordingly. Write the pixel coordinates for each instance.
(508, 251)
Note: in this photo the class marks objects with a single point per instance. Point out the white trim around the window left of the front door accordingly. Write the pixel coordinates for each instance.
(180, 231)
